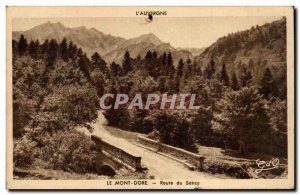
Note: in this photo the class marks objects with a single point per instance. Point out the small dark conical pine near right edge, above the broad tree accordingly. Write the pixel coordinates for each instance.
(268, 86)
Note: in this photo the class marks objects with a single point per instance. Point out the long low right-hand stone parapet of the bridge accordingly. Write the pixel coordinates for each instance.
(196, 160)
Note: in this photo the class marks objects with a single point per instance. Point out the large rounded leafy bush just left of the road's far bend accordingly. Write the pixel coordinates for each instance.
(67, 107)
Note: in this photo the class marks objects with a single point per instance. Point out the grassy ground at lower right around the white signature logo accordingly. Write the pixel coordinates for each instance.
(233, 164)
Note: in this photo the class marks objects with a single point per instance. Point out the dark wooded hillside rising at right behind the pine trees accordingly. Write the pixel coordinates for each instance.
(256, 48)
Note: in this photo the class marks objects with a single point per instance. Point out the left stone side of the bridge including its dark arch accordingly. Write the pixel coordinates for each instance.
(111, 158)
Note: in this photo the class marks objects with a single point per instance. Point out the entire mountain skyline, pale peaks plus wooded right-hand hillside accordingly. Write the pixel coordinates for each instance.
(256, 48)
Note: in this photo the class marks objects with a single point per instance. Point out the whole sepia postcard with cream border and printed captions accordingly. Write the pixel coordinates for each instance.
(144, 98)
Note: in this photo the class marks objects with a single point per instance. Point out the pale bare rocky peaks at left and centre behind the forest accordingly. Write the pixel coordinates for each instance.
(111, 48)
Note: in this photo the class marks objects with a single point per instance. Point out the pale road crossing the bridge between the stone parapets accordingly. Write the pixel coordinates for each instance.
(158, 166)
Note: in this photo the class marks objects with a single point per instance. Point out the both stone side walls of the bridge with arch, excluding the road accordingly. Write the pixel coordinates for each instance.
(111, 158)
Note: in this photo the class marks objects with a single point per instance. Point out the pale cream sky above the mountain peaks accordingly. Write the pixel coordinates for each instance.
(186, 32)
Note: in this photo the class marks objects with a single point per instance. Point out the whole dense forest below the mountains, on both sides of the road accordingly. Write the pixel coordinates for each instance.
(56, 88)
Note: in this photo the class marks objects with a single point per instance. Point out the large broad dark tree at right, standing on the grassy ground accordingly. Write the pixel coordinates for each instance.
(243, 115)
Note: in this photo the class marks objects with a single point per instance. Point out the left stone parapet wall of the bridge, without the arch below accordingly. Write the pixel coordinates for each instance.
(116, 155)
